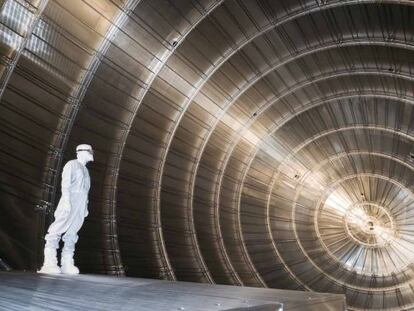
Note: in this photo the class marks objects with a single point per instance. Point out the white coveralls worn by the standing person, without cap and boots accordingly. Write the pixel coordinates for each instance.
(72, 208)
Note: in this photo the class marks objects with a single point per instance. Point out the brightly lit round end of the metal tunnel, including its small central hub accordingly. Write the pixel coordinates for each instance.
(370, 235)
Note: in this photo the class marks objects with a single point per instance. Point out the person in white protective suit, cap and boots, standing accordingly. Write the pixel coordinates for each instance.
(70, 213)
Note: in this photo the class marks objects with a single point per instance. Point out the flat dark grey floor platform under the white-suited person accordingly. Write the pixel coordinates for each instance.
(28, 291)
